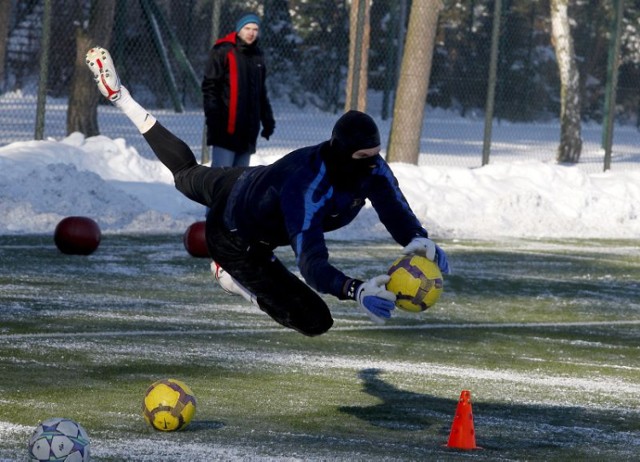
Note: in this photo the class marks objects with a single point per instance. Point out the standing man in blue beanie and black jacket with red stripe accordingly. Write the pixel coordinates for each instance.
(235, 95)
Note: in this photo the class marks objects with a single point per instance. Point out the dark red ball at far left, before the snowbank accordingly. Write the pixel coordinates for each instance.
(77, 236)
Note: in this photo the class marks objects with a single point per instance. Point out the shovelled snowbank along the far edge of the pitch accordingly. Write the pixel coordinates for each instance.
(41, 182)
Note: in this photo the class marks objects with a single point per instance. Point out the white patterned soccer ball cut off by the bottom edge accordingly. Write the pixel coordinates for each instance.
(59, 440)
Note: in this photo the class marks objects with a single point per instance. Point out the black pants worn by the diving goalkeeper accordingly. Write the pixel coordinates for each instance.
(279, 293)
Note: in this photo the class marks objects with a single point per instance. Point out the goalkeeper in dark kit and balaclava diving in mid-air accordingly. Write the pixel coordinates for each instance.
(294, 201)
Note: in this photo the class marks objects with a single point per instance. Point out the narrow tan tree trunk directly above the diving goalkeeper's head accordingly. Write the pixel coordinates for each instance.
(359, 32)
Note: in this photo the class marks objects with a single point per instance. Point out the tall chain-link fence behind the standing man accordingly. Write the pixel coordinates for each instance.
(306, 45)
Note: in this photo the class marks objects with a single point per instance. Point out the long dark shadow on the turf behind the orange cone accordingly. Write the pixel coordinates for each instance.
(498, 426)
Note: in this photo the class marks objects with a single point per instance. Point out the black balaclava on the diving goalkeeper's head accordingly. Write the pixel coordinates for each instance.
(352, 132)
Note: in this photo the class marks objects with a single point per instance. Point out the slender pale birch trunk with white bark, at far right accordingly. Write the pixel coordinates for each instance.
(570, 146)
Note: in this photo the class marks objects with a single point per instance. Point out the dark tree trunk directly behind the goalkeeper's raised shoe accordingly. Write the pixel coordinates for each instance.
(82, 114)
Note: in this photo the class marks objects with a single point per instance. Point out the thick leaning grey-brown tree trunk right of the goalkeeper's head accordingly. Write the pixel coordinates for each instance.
(411, 97)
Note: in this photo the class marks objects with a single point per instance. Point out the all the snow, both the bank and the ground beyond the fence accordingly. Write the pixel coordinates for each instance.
(521, 193)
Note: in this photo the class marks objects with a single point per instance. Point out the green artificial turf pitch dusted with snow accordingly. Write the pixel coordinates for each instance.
(544, 334)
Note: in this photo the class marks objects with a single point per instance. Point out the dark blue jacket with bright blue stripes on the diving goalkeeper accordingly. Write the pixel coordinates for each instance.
(294, 201)
